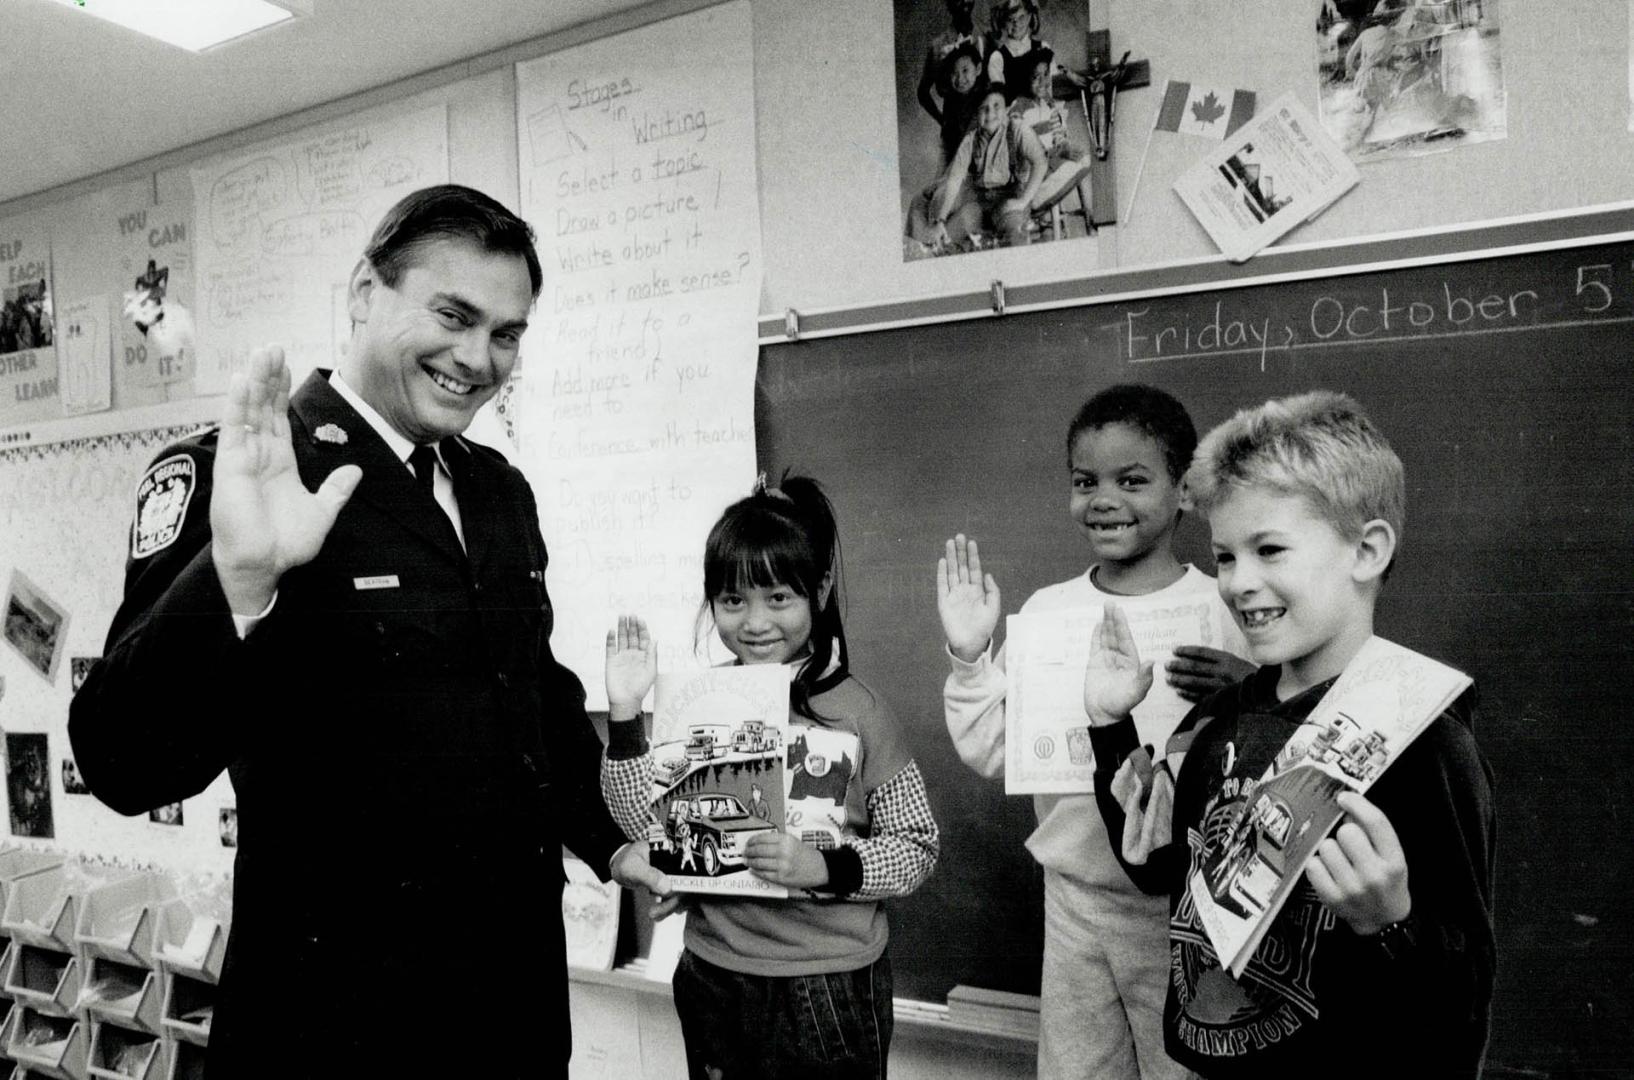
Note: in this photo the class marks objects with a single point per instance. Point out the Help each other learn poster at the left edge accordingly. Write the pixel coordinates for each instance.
(29, 354)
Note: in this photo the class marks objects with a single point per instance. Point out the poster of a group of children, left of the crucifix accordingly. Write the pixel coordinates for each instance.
(993, 145)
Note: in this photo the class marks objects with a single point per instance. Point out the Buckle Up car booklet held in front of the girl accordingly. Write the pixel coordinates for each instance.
(718, 777)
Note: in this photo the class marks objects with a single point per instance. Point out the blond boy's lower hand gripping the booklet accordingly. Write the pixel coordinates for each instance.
(1360, 873)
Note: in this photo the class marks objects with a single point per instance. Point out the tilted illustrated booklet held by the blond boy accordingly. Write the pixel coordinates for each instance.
(1373, 712)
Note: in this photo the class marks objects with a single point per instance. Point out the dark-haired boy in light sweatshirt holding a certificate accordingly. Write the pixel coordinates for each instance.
(1105, 944)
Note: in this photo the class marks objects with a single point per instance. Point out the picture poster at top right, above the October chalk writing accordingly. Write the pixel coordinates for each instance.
(1408, 78)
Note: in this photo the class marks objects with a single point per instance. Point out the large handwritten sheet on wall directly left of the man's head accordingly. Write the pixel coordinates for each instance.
(282, 226)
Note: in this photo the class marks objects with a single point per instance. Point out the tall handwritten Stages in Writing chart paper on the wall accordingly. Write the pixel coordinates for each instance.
(636, 390)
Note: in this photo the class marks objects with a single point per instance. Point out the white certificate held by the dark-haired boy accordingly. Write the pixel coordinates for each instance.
(1047, 731)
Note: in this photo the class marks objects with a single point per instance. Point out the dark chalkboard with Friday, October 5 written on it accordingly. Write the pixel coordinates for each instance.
(1506, 386)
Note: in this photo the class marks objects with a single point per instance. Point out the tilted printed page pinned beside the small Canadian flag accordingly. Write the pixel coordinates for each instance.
(1275, 172)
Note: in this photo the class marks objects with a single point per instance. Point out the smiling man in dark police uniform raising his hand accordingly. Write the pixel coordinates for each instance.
(341, 600)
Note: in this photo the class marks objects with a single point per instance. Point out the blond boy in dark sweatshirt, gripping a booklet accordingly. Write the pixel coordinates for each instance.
(1382, 962)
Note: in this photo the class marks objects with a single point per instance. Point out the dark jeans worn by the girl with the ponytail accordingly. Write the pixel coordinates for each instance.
(784, 1027)
